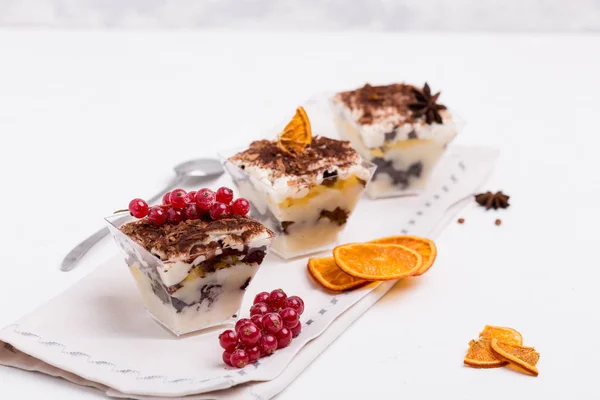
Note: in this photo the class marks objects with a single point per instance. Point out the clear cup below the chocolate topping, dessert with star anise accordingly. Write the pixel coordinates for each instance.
(404, 161)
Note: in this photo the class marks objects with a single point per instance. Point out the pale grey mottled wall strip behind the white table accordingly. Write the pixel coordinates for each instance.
(303, 15)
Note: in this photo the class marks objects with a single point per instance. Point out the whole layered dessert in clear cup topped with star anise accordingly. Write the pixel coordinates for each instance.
(400, 128)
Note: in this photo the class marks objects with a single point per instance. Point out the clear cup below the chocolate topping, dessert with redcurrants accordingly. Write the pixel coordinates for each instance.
(190, 297)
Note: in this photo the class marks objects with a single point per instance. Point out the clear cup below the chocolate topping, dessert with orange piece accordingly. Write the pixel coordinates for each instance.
(306, 218)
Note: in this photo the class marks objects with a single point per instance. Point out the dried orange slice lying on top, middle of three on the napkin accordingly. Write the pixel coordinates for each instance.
(377, 262)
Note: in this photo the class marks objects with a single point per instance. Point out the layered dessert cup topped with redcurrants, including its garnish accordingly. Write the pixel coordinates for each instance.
(192, 264)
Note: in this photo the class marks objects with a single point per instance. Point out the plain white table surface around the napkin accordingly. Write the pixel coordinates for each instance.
(89, 120)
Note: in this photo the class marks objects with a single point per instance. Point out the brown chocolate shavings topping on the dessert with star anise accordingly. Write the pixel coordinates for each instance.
(381, 102)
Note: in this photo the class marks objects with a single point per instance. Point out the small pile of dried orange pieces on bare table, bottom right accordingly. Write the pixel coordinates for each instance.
(497, 346)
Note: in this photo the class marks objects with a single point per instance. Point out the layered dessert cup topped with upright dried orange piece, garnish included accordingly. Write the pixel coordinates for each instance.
(302, 186)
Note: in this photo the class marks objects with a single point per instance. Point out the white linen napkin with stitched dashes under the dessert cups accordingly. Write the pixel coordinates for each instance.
(97, 333)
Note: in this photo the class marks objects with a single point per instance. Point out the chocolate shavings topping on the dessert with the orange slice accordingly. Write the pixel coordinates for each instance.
(322, 154)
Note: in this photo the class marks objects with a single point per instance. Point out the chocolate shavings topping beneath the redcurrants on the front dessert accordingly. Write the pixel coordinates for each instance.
(191, 238)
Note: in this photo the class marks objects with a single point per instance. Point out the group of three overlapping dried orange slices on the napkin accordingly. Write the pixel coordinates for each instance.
(344, 273)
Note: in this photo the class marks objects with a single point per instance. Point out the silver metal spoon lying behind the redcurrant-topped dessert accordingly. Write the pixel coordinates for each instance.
(192, 171)
